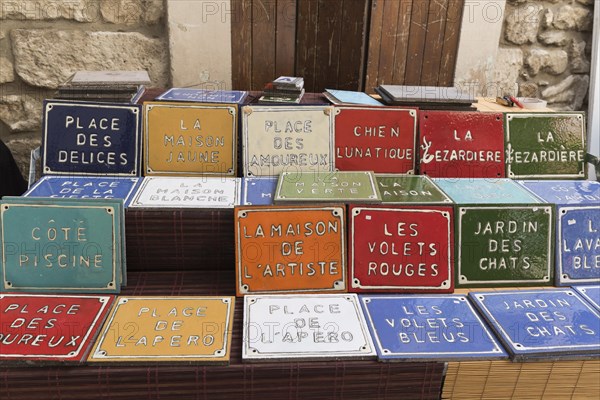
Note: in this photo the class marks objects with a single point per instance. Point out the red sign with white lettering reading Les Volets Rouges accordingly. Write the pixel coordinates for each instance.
(401, 249)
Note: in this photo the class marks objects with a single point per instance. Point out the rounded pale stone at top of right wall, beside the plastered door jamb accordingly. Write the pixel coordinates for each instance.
(523, 23)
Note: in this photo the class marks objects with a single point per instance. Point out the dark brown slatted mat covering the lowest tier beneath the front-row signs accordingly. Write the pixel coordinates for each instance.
(271, 380)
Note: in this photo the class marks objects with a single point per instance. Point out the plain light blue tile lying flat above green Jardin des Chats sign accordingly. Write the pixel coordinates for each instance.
(485, 191)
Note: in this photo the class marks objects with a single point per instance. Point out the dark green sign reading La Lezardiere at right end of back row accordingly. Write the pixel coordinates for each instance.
(545, 145)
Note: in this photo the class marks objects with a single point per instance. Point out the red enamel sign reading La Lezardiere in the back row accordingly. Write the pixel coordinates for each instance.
(461, 144)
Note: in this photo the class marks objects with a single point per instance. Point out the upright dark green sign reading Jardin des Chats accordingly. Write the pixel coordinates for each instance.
(504, 246)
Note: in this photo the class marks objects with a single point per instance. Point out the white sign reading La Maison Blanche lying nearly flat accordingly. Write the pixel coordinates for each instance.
(186, 192)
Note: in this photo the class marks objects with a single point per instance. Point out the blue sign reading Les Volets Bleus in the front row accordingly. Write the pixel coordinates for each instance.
(441, 328)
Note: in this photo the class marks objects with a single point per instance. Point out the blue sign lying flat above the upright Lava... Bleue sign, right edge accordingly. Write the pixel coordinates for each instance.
(565, 192)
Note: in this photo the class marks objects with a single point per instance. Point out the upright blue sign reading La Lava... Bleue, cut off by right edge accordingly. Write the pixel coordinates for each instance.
(578, 237)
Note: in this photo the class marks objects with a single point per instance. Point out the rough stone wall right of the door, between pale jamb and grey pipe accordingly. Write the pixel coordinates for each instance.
(545, 47)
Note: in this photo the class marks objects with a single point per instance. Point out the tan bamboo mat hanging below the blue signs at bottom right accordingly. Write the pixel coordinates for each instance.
(533, 380)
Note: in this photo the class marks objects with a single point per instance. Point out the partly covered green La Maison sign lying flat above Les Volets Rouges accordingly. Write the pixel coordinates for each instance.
(409, 189)
